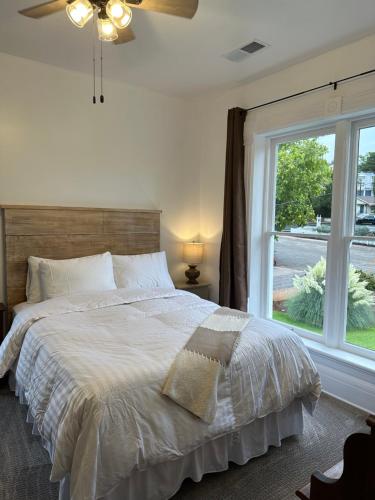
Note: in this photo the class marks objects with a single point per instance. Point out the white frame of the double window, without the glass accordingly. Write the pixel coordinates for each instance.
(338, 241)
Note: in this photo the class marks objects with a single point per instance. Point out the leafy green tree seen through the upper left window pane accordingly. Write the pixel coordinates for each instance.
(303, 175)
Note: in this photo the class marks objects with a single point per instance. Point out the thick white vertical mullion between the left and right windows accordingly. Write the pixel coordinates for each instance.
(338, 246)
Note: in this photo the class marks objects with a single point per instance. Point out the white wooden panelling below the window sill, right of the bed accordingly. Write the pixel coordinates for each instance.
(354, 385)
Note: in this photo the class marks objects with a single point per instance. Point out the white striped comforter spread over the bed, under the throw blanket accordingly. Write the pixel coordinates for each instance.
(91, 368)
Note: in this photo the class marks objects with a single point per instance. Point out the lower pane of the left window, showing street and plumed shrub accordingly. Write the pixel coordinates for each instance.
(299, 282)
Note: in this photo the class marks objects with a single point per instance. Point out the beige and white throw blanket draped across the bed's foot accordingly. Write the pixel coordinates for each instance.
(192, 381)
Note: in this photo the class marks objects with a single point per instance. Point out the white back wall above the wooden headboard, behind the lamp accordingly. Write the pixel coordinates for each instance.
(57, 148)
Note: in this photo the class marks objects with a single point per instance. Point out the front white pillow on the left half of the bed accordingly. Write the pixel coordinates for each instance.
(85, 274)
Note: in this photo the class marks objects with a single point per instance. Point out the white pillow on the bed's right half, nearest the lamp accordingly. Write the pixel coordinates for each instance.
(148, 270)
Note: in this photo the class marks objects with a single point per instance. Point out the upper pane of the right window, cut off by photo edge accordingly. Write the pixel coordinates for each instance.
(365, 197)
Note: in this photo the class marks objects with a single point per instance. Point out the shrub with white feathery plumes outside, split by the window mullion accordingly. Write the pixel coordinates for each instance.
(308, 305)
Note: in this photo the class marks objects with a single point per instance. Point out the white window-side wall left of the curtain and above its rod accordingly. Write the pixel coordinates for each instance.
(208, 115)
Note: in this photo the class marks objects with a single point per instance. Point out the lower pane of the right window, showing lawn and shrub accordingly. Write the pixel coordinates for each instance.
(360, 327)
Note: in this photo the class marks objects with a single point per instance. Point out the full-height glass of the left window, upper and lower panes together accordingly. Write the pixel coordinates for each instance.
(303, 200)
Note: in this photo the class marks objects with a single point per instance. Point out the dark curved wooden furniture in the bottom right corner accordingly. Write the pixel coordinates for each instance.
(351, 479)
